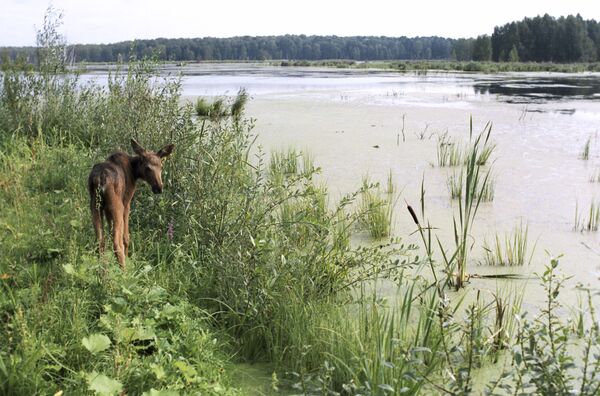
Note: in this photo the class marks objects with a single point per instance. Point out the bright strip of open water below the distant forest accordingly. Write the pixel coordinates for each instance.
(258, 79)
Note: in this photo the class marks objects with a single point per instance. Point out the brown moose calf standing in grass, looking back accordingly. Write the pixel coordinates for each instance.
(111, 185)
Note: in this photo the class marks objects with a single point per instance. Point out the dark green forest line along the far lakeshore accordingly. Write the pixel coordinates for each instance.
(541, 39)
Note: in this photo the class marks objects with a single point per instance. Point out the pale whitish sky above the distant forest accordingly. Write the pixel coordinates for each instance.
(110, 21)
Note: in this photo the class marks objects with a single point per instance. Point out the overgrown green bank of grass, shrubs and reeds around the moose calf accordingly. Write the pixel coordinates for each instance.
(241, 260)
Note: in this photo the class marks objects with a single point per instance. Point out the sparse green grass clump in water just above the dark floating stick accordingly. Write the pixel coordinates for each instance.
(512, 251)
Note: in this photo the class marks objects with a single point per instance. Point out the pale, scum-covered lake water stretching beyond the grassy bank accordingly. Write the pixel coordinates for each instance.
(352, 121)
